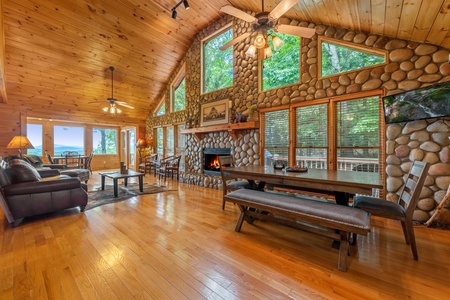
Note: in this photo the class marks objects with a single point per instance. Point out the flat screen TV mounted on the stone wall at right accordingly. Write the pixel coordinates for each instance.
(424, 103)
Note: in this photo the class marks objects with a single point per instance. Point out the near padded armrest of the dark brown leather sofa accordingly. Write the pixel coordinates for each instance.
(42, 186)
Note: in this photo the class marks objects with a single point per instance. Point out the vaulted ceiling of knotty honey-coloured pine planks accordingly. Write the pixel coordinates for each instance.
(58, 53)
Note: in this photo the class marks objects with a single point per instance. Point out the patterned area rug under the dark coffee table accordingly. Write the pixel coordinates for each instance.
(98, 197)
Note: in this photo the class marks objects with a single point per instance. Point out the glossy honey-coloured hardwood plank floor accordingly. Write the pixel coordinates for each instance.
(181, 245)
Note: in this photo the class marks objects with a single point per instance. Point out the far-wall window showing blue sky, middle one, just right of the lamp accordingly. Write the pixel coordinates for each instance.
(68, 138)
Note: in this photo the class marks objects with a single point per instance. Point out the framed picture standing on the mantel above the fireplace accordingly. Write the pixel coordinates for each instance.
(214, 113)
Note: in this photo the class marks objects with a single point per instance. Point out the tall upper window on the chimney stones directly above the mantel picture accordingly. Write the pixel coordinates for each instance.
(217, 64)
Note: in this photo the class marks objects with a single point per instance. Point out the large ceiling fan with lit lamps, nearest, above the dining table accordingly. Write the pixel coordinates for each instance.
(262, 22)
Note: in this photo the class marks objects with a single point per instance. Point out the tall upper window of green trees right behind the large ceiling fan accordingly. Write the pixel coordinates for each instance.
(283, 67)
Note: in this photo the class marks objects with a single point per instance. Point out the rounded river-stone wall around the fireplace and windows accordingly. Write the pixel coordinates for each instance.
(411, 65)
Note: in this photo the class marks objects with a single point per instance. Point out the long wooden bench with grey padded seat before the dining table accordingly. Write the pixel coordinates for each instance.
(335, 221)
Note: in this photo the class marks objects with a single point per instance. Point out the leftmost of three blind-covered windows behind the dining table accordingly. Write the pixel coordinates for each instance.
(276, 136)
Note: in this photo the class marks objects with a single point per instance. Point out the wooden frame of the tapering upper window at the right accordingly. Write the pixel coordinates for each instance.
(359, 48)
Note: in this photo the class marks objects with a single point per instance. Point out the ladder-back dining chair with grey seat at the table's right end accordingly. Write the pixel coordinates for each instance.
(402, 210)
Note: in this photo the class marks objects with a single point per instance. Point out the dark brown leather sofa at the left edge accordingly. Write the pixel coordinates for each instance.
(25, 193)
